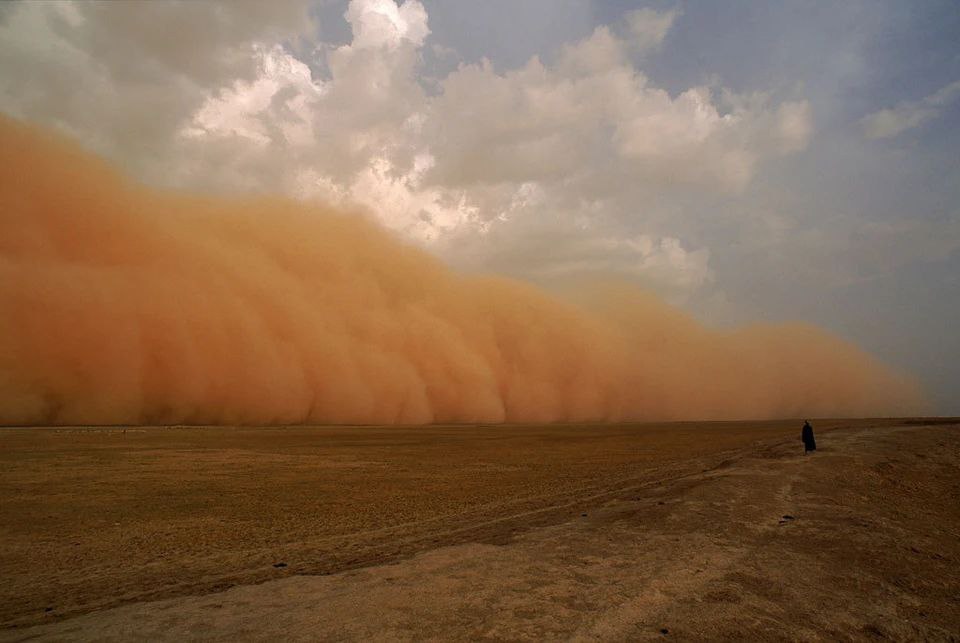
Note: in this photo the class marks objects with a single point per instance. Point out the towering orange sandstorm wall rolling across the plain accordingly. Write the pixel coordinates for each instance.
(119, 304)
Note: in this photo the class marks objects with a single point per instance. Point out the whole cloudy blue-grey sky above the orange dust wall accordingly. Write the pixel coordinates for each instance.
(747, 161)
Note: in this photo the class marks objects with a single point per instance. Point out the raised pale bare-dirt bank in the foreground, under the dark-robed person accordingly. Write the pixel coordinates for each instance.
(872, 551)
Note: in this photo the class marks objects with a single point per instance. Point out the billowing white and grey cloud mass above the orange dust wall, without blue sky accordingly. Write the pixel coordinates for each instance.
(547, 169)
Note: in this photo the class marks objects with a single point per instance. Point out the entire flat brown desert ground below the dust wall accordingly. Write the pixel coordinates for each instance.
(482, 532)
